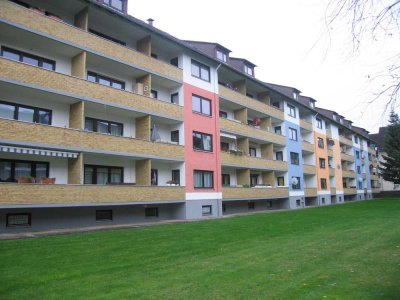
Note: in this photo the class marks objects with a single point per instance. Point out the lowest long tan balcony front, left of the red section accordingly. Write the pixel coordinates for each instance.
(41, 194)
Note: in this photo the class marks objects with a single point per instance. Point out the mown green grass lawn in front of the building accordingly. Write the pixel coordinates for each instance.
(349, 251)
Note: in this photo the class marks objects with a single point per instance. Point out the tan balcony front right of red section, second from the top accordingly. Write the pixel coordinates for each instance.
(252, 132)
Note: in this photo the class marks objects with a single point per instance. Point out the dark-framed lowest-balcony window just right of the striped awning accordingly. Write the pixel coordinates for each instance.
(103, 174)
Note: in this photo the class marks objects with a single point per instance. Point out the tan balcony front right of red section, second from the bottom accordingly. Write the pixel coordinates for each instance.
(245, 161)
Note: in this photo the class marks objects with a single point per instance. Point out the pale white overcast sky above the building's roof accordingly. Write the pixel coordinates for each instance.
(290, 44)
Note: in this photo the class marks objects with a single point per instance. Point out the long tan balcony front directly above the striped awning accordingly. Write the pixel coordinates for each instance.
(79, 140)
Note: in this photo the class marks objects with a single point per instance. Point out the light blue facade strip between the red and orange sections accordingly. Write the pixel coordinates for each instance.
(294, 146)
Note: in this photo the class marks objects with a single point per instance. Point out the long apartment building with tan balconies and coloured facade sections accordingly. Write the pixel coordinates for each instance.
(106, 119)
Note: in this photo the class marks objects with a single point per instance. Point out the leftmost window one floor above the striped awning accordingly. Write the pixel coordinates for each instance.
(25, 113)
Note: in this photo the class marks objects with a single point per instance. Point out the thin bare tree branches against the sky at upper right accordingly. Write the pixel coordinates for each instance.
(372, 20)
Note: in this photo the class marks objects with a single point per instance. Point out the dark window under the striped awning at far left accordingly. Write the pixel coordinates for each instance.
(11, 170)
